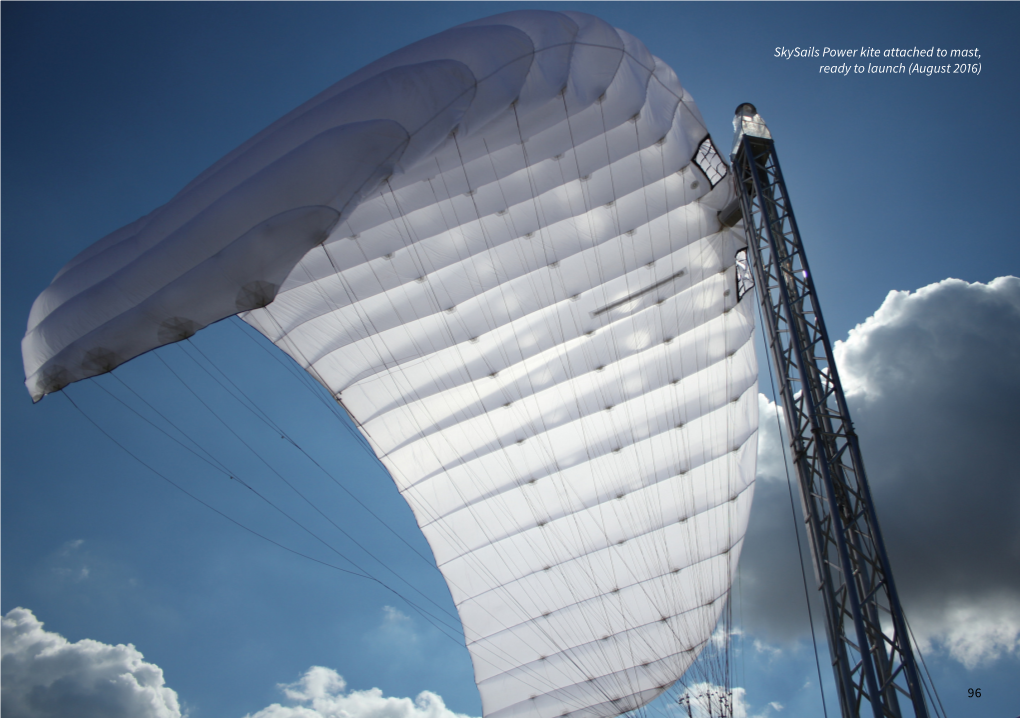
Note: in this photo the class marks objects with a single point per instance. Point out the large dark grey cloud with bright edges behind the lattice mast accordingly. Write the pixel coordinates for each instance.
(934, 388)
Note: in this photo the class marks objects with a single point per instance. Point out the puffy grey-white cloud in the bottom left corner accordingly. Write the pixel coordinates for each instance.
(47, 677)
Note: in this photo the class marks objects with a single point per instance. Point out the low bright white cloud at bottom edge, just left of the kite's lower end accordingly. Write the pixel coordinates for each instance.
(322, 693)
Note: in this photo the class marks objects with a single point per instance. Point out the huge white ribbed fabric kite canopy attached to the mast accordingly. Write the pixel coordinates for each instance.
(499, 249)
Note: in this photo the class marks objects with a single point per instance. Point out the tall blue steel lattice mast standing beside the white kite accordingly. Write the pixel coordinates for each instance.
(876, 672)
